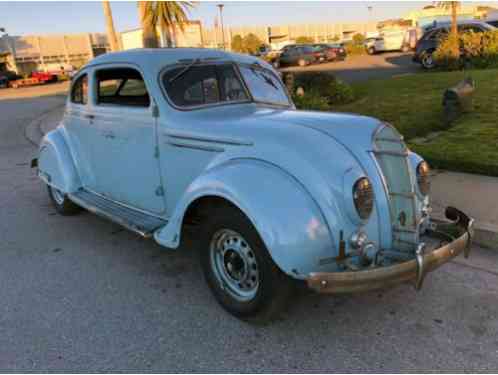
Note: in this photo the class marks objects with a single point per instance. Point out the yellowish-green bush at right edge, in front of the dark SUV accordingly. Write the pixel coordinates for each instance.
(475, 50)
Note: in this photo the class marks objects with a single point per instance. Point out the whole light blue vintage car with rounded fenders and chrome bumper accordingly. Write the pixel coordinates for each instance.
(164, 139)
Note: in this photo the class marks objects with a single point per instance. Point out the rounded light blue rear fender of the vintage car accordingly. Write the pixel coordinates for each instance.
(55, 163)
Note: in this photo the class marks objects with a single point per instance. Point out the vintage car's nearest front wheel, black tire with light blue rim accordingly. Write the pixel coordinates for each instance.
(239, 270)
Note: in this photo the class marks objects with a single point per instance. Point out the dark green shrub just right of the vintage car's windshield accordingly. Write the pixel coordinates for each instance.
(326, 86)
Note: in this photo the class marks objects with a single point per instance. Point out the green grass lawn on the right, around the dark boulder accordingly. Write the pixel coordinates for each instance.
(413, 104)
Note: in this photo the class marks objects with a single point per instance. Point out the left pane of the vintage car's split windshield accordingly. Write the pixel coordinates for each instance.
(202, 85)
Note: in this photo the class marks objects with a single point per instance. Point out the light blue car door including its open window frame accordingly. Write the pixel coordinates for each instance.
(124, 156)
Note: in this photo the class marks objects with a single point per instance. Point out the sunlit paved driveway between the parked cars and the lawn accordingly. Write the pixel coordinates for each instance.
(365, 67)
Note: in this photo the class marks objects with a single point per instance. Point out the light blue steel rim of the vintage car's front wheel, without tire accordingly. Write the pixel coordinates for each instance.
(234, 264)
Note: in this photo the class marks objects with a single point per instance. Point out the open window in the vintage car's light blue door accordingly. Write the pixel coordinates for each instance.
(121, 86)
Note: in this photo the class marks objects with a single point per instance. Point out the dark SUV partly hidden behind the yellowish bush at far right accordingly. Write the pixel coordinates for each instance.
(429, 42)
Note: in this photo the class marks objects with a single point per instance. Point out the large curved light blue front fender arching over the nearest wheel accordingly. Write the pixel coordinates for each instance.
(289, 221)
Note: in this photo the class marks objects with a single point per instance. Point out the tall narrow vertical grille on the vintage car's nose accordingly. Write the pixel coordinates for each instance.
(391, 155)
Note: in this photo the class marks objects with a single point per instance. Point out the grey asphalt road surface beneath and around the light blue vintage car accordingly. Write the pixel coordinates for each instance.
(81, 294)
